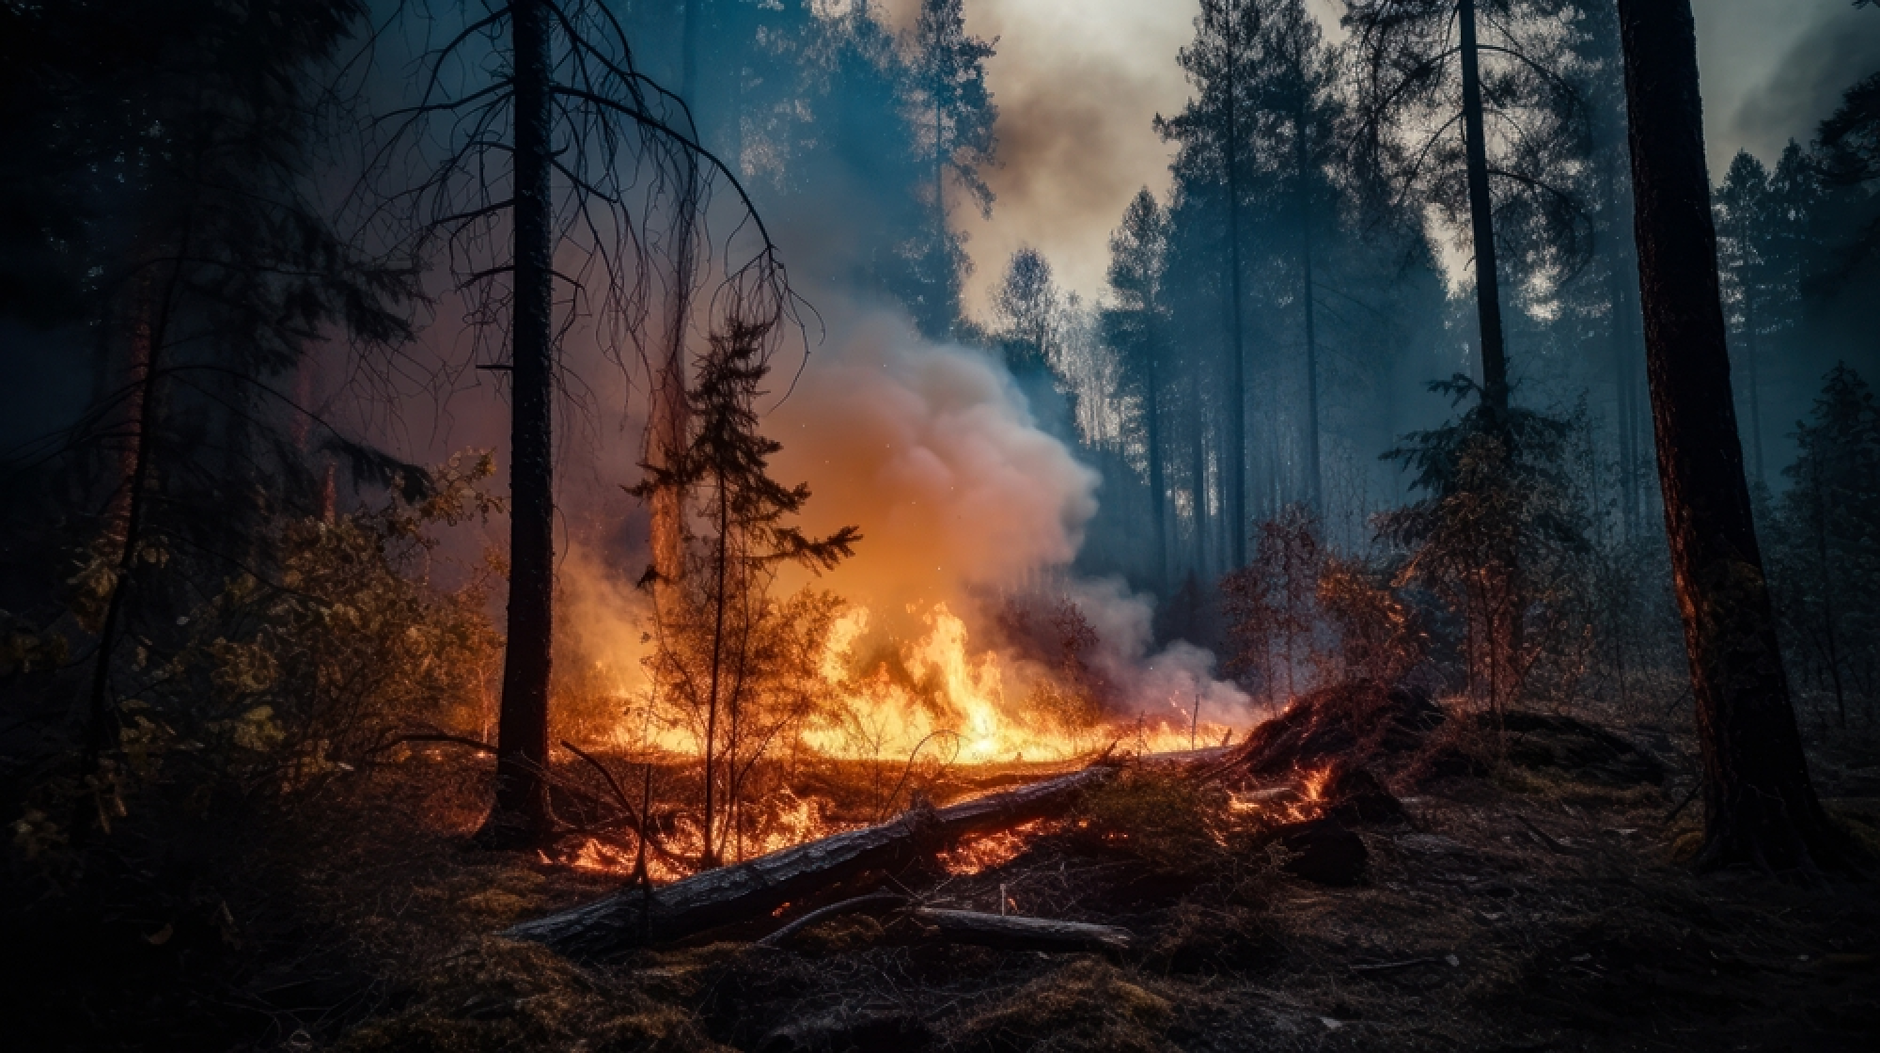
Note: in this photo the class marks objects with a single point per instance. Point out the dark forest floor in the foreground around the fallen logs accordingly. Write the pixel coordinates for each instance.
(1539, 907)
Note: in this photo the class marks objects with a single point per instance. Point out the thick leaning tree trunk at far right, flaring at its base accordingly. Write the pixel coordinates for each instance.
(1761, 806)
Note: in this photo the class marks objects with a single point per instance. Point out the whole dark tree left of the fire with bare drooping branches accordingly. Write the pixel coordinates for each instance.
(595, 149)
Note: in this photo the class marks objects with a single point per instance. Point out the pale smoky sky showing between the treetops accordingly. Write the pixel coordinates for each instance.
(1080, 82)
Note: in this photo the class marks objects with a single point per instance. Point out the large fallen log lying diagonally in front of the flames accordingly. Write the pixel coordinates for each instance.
(631, 919)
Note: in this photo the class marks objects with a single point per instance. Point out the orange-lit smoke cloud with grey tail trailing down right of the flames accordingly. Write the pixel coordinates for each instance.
(933, 452)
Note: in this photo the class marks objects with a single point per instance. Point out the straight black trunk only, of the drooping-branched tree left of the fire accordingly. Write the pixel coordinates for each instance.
(522, 811)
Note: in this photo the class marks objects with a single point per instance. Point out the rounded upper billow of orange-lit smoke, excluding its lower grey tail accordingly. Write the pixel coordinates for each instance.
(933, 454)
